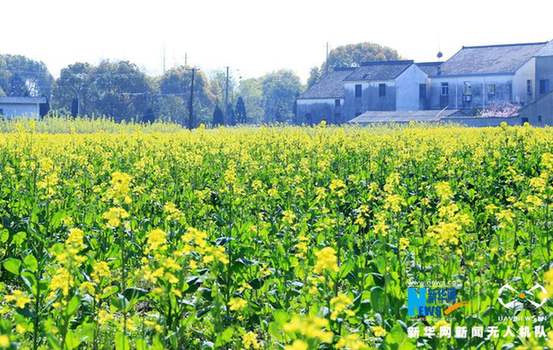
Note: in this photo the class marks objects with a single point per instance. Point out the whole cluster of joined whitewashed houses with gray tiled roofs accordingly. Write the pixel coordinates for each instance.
(492, 81)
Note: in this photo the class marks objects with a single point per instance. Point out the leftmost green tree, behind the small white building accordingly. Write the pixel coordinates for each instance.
(34, 74)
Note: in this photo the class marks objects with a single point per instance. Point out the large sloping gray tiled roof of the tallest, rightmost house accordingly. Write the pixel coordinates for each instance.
(492, 59)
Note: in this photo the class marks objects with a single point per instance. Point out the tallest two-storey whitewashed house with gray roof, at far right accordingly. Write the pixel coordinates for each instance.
(480, 76)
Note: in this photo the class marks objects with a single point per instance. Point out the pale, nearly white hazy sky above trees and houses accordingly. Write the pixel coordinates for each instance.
(255, 37)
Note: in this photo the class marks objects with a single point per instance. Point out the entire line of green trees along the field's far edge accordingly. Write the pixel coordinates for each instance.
(120, 90)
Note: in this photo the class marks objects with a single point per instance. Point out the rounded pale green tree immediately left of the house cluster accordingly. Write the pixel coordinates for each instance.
(279, 93)
